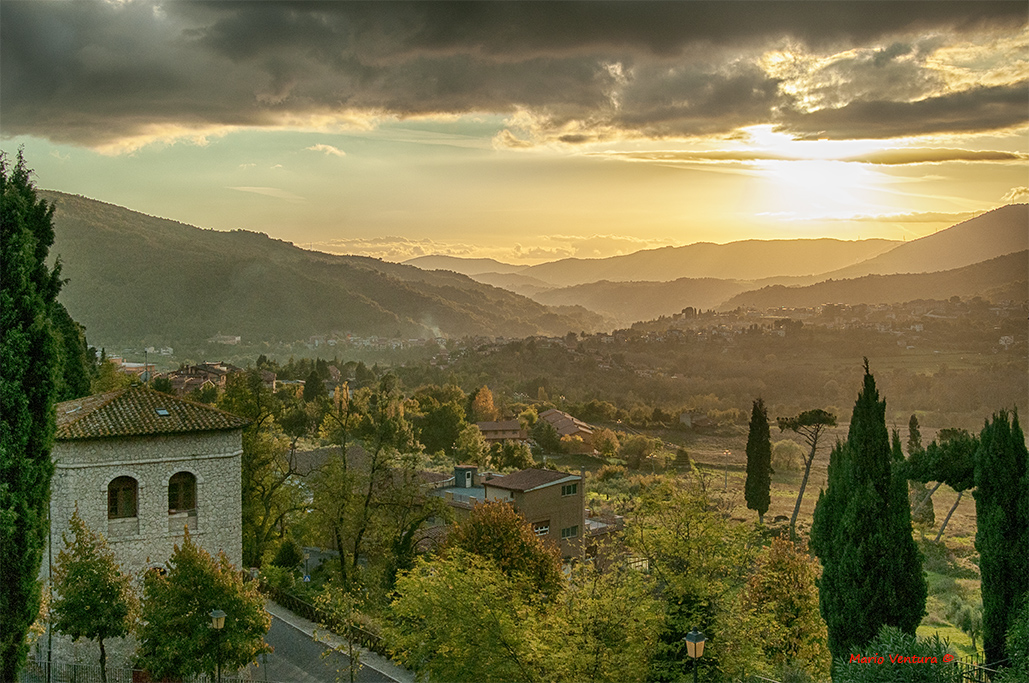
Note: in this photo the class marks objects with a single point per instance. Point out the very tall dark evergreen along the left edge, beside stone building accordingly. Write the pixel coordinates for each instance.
(29, 367)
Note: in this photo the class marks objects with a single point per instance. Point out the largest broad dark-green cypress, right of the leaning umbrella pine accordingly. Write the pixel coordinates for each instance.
(862, 532)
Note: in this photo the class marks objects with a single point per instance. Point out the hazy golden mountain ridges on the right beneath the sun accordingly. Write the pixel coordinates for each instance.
(767, 274)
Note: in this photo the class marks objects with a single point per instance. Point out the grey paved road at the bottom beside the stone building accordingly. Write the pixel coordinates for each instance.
(300, 660)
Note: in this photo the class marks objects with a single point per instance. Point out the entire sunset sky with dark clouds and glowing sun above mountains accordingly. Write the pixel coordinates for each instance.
(524, 131)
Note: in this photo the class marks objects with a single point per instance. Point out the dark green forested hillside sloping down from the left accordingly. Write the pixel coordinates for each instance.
(134, 278)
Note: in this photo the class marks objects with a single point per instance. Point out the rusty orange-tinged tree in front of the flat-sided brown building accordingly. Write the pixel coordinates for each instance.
(498, 532)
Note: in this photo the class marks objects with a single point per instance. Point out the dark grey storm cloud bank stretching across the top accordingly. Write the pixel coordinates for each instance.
(92, 74)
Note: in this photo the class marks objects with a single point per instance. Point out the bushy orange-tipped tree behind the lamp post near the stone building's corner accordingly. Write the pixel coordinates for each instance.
(175, 635)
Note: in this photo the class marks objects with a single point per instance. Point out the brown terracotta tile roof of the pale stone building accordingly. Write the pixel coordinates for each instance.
(136, 412)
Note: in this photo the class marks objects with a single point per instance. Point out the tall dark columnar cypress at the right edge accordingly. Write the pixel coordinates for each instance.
(1003, 536)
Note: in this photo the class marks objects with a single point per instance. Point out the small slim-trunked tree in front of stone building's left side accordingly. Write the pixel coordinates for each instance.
(94, 600)
